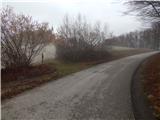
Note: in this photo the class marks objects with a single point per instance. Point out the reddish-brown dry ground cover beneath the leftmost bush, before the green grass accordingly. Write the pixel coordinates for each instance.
(15, 81)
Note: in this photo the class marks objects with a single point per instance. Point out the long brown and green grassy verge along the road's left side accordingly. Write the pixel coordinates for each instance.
(51, 70)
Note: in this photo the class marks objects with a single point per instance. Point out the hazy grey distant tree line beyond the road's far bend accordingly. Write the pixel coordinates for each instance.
(149, 38)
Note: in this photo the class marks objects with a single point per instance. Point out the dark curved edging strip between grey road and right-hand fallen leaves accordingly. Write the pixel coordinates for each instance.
(140, 104)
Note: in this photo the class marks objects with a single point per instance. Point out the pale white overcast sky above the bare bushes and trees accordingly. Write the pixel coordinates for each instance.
(53, 11)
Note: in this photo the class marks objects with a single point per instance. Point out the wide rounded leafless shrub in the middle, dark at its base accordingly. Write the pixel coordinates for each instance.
(79, 40)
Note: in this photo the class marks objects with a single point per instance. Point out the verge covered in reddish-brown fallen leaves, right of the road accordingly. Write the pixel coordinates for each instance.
(151, 76)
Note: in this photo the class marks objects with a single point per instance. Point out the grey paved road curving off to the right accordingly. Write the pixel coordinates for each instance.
(100, 93)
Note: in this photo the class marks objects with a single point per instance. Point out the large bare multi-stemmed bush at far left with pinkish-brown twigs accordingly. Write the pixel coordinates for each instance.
(22, 38)
